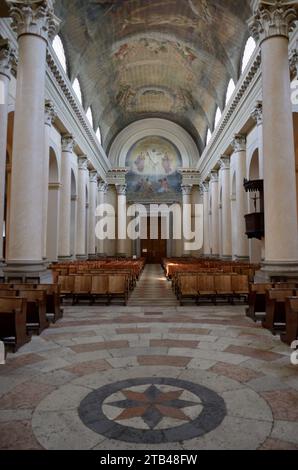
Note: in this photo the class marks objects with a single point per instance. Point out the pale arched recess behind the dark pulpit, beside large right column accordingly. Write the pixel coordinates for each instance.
(255, 246)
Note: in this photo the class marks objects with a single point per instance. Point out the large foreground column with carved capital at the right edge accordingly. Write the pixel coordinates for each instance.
(271, 25)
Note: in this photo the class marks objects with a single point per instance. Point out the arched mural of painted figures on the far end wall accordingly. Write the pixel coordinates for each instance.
(153, 164)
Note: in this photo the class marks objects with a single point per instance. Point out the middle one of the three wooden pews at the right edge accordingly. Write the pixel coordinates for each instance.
(275, 318)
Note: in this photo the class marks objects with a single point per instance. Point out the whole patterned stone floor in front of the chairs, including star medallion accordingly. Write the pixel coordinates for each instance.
(152, 377)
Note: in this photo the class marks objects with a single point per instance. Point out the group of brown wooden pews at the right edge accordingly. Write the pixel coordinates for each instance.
(276, 305)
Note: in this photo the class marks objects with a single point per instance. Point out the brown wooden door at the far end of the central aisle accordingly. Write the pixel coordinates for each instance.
(154, 249)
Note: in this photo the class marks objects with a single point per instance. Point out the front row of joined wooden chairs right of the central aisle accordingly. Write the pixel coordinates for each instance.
(204, 286)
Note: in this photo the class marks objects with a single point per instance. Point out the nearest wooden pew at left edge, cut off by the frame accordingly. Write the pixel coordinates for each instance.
(13, 315)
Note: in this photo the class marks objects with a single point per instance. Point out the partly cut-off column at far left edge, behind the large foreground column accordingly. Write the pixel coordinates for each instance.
(7, 60)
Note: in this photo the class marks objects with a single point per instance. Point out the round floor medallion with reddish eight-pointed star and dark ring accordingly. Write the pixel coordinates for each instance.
(154, 410)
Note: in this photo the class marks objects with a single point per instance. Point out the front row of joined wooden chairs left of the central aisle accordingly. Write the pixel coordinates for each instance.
(107, 287)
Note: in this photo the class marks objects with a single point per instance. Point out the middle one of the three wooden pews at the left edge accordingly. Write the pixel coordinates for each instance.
(36, 310)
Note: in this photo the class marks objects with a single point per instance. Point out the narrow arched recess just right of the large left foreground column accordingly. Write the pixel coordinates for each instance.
(53, 208)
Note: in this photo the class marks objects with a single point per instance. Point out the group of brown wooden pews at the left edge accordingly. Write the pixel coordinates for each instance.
(27, 309)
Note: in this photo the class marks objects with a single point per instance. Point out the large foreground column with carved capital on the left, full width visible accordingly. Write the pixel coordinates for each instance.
(34, 24)
